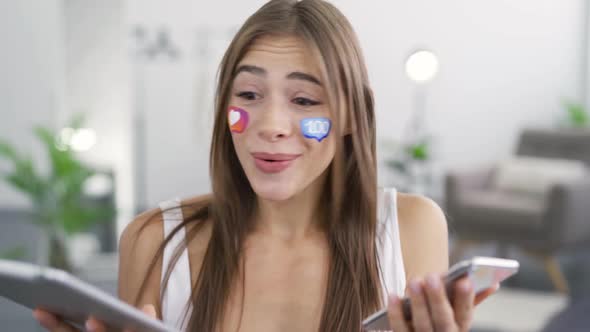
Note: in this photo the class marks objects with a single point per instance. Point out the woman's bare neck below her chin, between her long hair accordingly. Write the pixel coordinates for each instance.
(295, 218)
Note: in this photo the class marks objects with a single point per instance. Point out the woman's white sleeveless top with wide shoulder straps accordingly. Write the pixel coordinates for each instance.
(176, 300)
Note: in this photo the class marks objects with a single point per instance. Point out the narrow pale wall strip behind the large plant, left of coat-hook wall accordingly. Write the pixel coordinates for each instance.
(98, 85)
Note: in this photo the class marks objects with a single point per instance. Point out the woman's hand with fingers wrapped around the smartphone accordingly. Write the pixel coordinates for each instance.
(431, 308)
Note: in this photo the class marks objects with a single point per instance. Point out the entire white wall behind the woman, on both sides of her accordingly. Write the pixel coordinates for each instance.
(504, 65)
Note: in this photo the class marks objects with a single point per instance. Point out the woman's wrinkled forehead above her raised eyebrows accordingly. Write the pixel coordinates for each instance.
(281, 53)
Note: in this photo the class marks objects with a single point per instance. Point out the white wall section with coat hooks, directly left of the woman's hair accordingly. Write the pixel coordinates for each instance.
(176, 96)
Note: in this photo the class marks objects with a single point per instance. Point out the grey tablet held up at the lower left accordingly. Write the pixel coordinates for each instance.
(72, 299)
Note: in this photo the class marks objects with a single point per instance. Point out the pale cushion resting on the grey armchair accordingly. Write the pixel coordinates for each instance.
(532, 175)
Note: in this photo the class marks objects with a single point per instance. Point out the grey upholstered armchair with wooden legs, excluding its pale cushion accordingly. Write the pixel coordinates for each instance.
(540, 225)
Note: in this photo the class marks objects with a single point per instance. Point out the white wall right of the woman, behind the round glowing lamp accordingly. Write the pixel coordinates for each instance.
(504, 65)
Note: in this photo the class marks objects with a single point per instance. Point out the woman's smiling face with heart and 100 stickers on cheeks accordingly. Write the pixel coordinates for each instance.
(275, 94)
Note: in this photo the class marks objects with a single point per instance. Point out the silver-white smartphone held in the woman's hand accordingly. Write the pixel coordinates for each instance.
(484, 272)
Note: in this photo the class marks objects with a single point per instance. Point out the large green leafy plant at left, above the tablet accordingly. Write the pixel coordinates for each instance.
(59, 206)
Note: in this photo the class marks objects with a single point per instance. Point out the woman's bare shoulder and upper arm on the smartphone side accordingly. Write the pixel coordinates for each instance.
(424, 235)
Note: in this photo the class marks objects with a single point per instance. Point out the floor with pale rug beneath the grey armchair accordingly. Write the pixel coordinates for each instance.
(528, 302)
